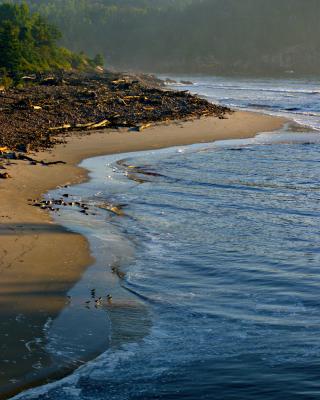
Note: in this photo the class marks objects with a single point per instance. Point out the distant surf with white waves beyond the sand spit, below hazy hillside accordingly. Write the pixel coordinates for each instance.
(298, 99)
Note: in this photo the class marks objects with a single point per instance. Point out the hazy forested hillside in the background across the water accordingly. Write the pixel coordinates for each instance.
(255, 37)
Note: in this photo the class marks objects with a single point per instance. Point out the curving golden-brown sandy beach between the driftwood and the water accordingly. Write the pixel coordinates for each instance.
(40, 260)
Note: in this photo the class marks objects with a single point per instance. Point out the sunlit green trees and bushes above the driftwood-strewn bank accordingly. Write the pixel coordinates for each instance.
(28, 43)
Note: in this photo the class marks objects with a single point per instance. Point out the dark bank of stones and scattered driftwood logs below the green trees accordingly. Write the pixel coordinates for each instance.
(40, 112)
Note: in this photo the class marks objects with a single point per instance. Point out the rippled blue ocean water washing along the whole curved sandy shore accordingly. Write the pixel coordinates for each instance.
(219, 253)
